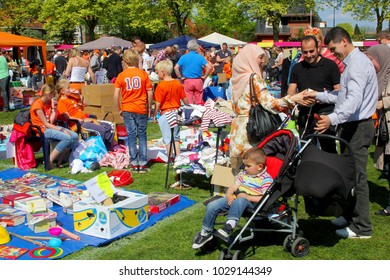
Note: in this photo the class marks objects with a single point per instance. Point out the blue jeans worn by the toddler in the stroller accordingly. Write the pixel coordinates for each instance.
(235, 211)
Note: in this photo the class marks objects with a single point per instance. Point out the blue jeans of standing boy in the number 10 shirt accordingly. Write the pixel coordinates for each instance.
(136, 125)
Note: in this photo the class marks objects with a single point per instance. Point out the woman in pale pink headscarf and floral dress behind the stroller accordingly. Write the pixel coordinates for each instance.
(251, 59)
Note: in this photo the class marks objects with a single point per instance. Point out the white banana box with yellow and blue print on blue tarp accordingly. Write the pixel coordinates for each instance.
(111, 221)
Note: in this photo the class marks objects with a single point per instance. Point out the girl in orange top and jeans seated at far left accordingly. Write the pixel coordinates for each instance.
(43, 113)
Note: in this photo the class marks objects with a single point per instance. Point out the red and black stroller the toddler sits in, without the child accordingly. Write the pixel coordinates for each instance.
(272, 213)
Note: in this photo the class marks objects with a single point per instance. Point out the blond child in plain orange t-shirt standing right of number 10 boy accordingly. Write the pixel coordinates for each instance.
(168, 94)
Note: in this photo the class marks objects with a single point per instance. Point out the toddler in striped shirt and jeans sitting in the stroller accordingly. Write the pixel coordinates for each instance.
(248, 189)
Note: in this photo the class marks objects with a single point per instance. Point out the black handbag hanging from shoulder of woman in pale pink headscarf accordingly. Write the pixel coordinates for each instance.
(261, 122)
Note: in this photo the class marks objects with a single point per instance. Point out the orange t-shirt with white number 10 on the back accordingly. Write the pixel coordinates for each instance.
(134, 84)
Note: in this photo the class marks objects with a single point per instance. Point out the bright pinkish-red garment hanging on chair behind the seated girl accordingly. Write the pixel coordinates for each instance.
(24, 153)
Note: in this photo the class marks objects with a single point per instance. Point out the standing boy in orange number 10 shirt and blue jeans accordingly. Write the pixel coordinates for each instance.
(136, 90)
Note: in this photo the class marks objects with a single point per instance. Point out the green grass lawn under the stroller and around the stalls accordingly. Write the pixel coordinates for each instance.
(171, 239)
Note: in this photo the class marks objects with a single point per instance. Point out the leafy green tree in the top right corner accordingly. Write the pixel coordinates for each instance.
(378, 10)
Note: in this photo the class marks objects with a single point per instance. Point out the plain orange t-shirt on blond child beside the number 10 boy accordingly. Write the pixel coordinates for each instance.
(169, 94)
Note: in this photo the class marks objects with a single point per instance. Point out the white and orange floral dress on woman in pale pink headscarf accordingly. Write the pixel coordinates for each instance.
(239, 142)
